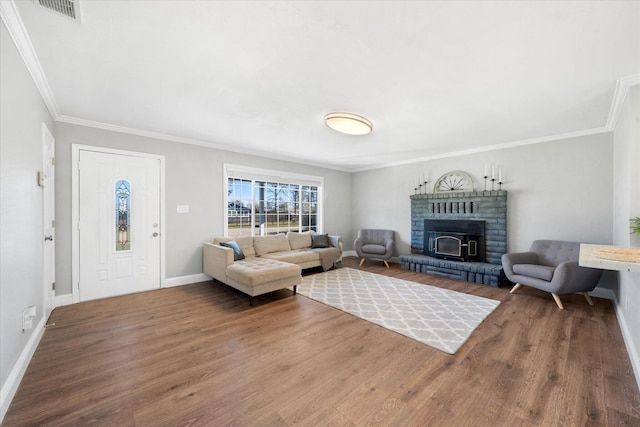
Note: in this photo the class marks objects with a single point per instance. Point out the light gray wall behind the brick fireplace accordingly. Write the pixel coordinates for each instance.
(557, 190)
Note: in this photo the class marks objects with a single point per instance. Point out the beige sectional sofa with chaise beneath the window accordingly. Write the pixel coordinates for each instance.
(261, 264)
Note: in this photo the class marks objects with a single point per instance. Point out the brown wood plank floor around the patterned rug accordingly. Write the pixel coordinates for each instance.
(199, 355)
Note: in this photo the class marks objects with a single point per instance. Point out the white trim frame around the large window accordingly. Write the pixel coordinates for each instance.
(259, 174)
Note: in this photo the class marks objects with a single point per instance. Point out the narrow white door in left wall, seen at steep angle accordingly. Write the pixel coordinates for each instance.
(48, 182)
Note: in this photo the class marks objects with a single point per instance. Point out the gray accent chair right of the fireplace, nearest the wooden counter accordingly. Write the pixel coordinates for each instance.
(551, 266)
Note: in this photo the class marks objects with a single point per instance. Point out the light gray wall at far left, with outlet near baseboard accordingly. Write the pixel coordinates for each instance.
(22, 113)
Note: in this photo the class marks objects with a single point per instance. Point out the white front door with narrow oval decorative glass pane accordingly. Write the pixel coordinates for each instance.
(119, 224)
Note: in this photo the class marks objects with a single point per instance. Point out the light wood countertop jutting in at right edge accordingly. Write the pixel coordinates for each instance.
(609, 257)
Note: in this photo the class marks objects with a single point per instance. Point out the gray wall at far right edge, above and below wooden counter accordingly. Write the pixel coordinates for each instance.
(626, 205)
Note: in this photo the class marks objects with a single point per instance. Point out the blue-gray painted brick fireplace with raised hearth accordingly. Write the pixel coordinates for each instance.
(486, 207)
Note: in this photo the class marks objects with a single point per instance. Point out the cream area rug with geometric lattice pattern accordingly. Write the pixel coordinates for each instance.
(440, 318)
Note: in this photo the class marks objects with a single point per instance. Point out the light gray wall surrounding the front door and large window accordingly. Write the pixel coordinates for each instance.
(194, 177)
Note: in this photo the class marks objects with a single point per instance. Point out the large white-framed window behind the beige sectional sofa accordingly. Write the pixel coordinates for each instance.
(261, 202)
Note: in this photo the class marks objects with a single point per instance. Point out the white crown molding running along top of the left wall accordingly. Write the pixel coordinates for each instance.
(15, 27)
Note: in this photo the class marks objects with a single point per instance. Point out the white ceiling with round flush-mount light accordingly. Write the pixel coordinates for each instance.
(258, 77)
